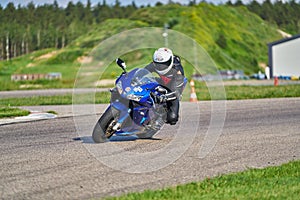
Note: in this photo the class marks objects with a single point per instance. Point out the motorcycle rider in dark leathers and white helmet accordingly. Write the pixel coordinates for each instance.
(169, 68)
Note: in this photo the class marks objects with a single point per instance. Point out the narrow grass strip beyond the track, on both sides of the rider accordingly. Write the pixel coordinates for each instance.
(232, 93)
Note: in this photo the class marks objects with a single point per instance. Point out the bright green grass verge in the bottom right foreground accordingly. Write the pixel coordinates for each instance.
(281, 182)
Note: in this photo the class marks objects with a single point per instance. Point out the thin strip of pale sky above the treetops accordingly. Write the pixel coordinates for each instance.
(63, 3)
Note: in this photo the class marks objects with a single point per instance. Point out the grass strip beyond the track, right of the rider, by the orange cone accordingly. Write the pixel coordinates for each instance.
(247, 92)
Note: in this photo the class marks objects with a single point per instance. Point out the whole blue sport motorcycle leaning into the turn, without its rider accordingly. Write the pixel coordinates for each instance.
(135, 107)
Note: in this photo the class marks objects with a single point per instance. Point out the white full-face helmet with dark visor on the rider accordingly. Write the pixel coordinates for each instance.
(163, 60)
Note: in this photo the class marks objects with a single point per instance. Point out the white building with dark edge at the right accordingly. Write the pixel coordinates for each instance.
(284, 57)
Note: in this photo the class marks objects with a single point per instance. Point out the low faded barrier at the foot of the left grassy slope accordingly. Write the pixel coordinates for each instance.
(32, 77)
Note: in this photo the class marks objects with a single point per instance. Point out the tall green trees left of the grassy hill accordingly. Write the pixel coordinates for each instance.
(24, 29)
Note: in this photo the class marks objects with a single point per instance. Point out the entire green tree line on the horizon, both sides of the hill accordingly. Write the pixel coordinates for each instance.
(24, 29)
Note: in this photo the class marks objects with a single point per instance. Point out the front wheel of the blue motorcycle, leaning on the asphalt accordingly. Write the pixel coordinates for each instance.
(103, 129)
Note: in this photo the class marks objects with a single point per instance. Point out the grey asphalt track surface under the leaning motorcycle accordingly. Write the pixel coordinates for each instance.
(52, 159)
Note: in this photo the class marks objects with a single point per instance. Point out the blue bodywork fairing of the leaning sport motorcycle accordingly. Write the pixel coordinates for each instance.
(135, 114)
